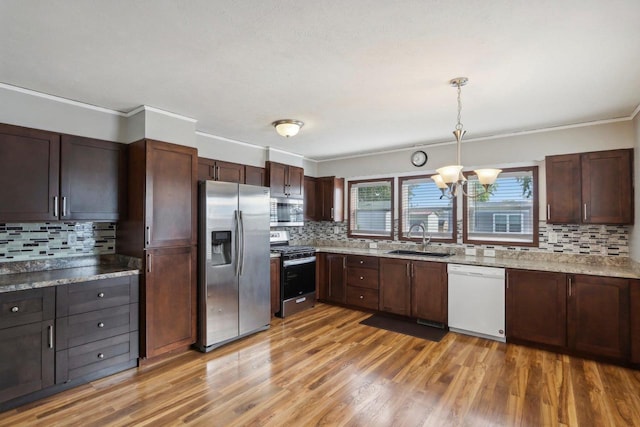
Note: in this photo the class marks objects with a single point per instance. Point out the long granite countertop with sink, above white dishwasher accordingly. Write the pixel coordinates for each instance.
(595, 269)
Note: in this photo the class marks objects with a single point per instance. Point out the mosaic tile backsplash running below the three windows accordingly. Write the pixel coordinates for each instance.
(607, 240)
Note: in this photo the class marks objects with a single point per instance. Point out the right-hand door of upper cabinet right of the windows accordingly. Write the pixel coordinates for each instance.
(607, 187)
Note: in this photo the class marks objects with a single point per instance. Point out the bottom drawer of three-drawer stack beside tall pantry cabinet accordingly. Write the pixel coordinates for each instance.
(79, 361)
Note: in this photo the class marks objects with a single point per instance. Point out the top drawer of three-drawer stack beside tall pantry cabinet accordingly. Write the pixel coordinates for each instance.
(96, 295)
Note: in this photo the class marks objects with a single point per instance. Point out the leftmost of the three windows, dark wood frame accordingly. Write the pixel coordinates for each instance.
(371, 208)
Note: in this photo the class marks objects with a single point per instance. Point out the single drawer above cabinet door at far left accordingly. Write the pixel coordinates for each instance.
(28, 306)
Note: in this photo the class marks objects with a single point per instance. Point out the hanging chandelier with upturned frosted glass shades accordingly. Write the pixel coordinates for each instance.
(450, 179)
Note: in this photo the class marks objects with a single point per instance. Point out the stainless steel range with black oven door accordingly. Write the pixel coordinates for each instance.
(297, 274)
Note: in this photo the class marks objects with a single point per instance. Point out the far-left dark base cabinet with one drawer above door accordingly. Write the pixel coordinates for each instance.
(27, 350)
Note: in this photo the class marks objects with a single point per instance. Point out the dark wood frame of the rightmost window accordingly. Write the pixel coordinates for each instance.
(535, 214)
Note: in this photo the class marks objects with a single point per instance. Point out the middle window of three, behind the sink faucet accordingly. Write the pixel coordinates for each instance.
(421, 203)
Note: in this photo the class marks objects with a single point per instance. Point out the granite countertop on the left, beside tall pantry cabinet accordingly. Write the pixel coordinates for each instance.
(70, 273)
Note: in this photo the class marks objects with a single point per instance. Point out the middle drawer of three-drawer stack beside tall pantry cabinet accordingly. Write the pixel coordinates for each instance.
(84, 328)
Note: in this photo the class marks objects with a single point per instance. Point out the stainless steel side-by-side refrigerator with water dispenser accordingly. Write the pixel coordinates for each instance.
(233, 249)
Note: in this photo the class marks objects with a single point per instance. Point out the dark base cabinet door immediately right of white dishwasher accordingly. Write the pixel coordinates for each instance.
(536, 307)
